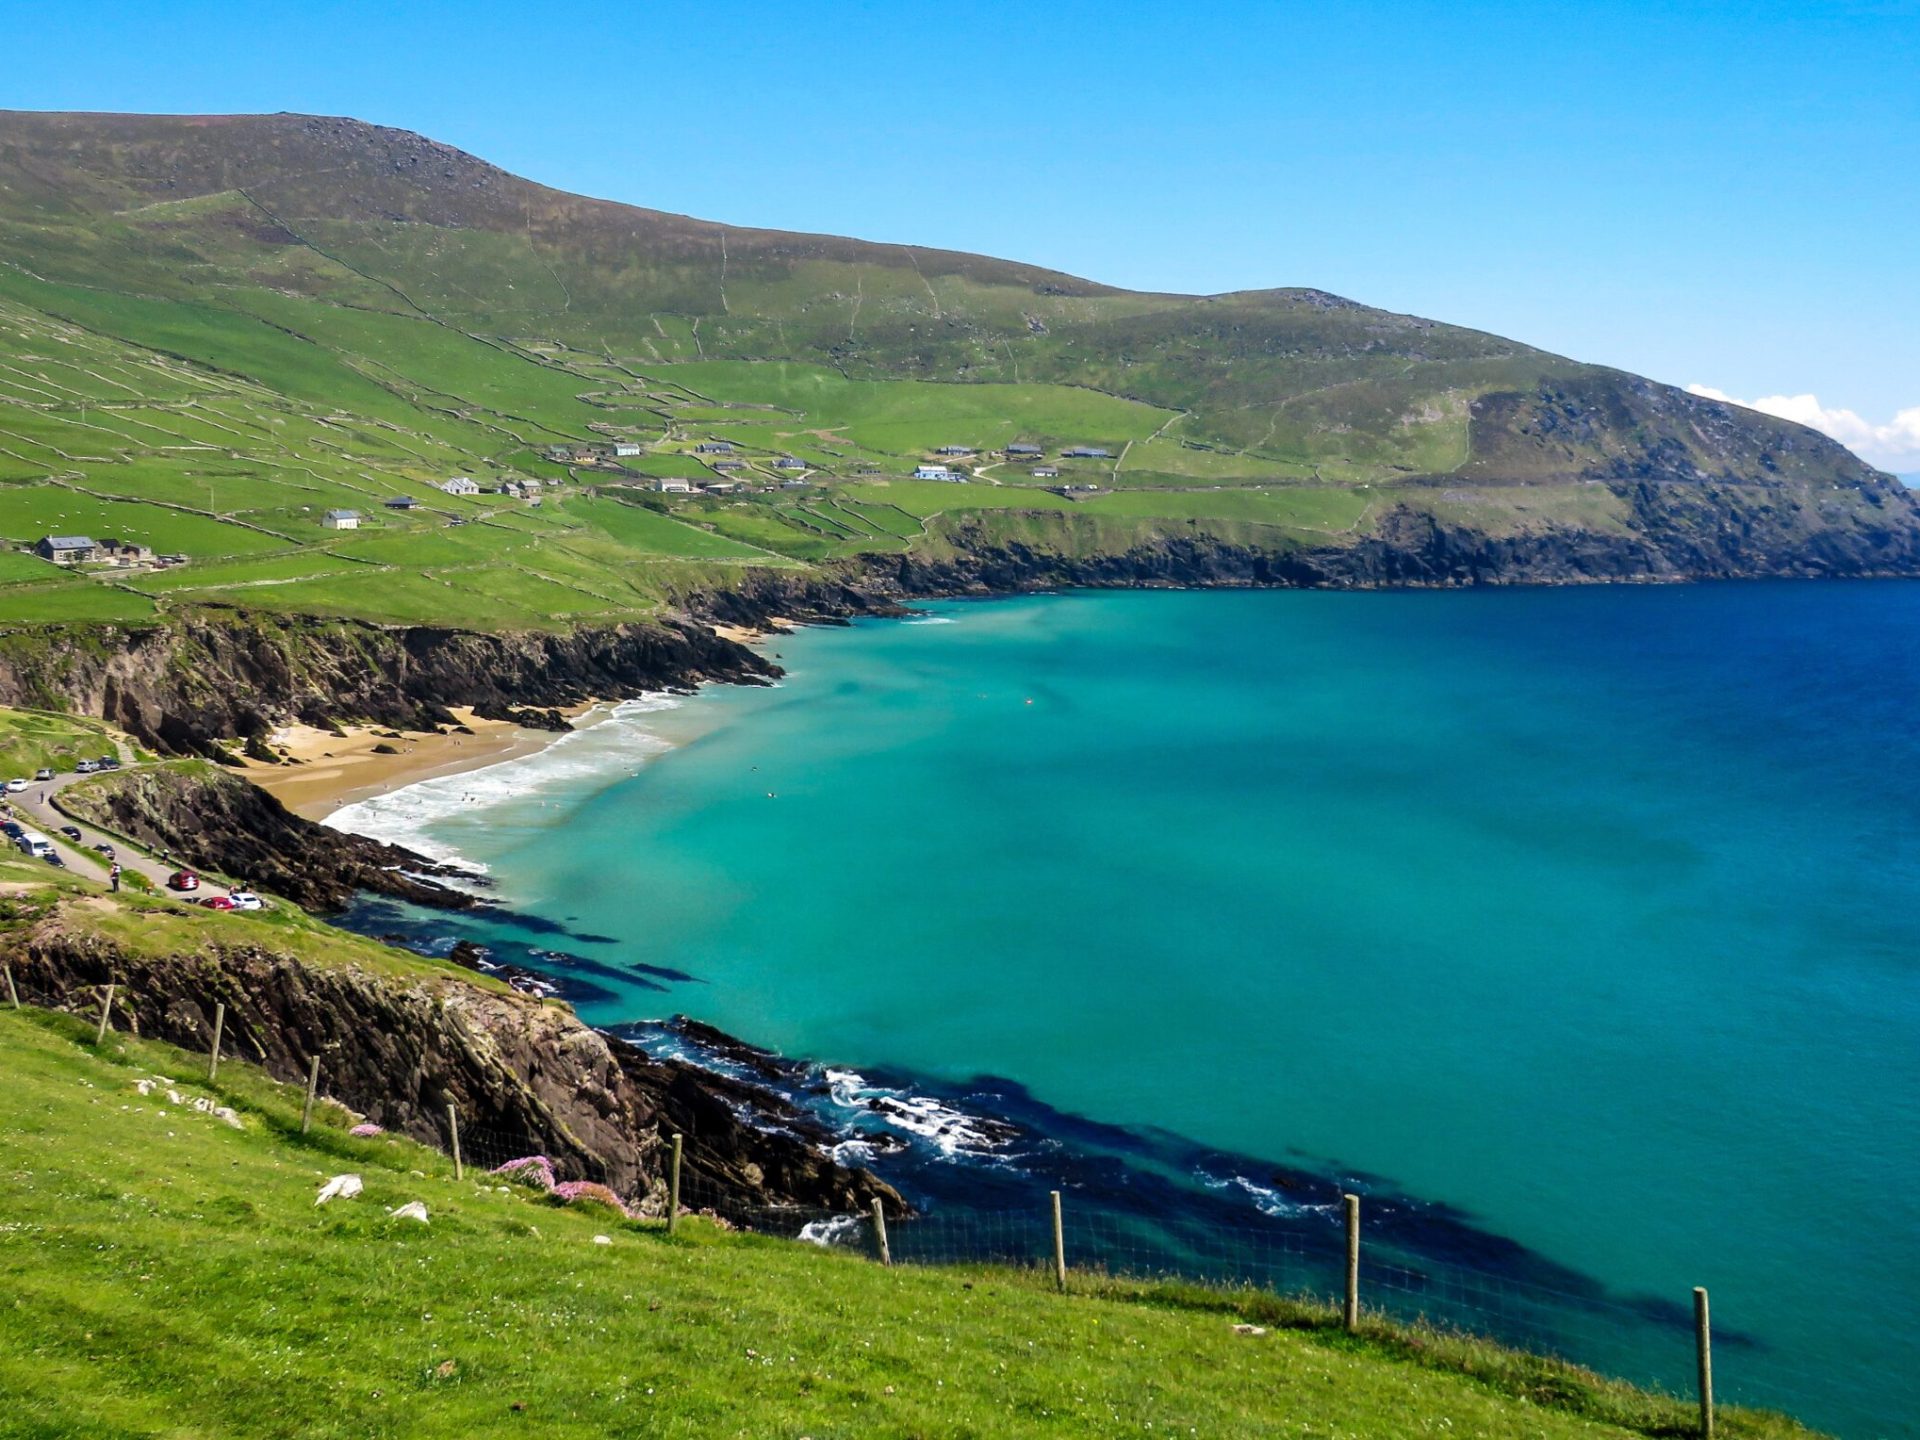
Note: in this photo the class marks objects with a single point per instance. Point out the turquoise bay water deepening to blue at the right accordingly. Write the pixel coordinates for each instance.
(1589, 913)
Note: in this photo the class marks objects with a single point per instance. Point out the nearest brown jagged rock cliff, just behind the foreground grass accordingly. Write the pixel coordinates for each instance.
(400, 1047)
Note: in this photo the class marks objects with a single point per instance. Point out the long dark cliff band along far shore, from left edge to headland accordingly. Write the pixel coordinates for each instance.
(229, 675)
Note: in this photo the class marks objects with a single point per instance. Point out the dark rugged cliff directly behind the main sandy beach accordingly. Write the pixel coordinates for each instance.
(185, 686)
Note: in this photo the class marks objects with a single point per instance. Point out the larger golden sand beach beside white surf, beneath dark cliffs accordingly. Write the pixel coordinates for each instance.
(337, 771)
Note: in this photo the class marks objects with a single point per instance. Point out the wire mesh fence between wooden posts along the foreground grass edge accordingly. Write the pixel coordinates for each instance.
(1646, 1341)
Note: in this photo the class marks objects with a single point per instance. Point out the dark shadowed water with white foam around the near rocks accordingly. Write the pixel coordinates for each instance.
(978, 1159)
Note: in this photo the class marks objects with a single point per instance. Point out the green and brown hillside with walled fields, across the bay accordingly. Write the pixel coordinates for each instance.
(214, 329)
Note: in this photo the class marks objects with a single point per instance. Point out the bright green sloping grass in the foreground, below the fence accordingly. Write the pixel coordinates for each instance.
(170, 1276)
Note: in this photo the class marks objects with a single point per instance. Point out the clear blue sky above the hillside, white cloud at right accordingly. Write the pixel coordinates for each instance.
(1706, 193)
